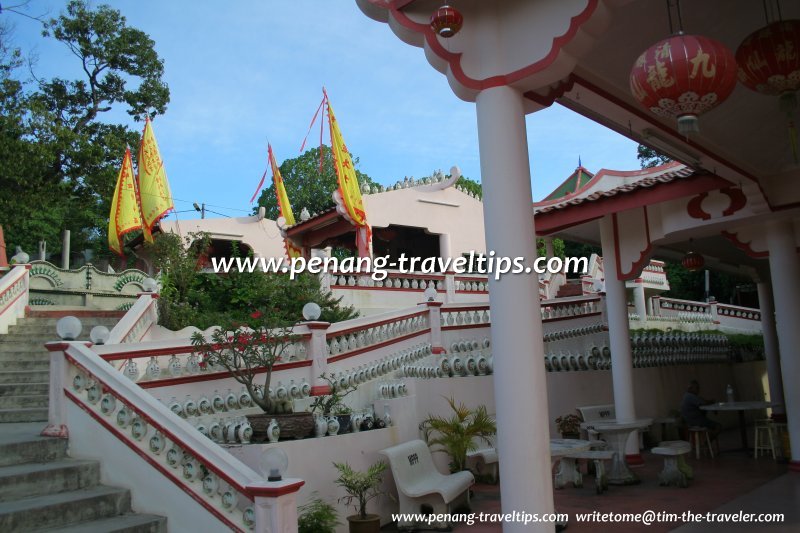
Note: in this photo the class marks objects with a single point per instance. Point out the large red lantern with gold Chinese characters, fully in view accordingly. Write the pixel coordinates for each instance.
(683, 77)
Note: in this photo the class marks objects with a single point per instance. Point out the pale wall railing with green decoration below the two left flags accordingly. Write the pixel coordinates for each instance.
(86, 286)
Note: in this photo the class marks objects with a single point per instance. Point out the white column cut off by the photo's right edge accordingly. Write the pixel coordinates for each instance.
(784, 266)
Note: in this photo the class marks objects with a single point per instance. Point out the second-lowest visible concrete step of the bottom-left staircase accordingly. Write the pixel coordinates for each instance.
(63, 509)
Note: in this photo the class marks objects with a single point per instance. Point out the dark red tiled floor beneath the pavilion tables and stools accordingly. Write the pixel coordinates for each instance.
(732, 482)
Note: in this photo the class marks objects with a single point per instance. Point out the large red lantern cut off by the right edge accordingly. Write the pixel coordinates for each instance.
(769, 61)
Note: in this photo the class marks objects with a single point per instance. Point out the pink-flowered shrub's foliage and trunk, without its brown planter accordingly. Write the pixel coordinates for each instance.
(246, 353)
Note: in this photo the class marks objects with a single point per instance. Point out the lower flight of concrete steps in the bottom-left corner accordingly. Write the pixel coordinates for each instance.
(41, 489)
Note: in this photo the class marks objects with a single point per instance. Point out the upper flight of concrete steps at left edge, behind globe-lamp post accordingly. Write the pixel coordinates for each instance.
(24, 363)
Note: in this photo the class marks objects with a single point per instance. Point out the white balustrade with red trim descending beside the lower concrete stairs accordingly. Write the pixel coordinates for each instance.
(230, 492)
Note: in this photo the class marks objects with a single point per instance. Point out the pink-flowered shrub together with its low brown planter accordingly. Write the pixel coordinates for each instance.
(249, 354)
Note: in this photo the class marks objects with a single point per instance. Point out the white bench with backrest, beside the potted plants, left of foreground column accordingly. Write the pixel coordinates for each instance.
(420, 484)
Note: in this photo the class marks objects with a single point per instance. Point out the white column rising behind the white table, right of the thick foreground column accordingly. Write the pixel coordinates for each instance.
(619, 335)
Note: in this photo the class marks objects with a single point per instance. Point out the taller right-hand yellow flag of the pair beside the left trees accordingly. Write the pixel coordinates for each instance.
(154, 194)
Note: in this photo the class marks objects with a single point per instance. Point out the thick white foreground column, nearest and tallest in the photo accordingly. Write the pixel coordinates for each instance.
(519, 374)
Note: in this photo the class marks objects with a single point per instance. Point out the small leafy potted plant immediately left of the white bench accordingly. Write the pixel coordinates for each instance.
(361, 487)
